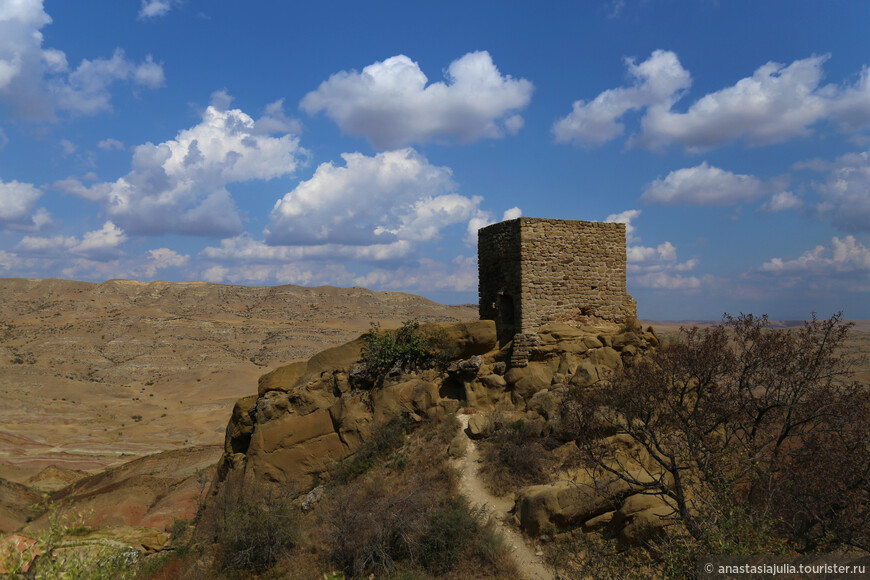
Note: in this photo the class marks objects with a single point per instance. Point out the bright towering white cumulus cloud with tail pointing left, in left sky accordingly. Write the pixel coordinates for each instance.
(179, 186)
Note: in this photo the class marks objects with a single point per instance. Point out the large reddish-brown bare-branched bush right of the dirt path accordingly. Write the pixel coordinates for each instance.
(744, 428)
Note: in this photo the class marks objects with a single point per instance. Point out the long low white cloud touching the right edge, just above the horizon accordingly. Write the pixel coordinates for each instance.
(843, 256)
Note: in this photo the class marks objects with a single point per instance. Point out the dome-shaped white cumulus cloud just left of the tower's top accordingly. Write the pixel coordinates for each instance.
(392, 196)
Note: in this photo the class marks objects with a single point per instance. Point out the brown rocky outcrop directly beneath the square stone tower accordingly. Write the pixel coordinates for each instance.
(310, 414)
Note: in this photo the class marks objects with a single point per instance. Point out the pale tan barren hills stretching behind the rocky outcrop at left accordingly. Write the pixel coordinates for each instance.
(92, 375)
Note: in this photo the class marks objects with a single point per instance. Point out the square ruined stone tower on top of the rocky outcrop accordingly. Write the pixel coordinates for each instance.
(534, 271)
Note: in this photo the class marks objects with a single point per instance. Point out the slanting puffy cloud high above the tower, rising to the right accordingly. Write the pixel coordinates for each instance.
(658, 81)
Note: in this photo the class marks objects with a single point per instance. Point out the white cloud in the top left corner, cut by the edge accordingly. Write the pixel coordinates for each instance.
(36, 81)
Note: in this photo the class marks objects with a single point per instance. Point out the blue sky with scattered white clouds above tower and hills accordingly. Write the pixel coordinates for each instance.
(363, 143)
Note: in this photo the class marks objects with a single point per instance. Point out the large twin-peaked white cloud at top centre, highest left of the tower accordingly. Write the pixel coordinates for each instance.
(390, 104)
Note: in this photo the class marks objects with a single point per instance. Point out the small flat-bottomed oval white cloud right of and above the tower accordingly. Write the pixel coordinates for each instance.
(704, 185)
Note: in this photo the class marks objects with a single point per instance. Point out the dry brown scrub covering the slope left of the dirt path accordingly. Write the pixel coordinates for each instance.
(408, 516)
